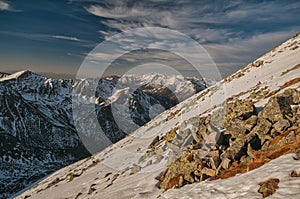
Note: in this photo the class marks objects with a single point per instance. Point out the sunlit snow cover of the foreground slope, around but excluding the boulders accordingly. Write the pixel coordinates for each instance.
(123, 171)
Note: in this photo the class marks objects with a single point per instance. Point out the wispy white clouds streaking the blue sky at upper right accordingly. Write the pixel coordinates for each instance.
(233, 32)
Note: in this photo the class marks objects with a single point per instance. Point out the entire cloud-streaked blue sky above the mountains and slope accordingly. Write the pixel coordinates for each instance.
(53, 37)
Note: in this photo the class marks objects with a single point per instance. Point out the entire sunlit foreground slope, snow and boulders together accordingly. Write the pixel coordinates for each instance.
(247, 120)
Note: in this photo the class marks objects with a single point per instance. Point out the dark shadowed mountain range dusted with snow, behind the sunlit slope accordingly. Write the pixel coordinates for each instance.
(37, 132)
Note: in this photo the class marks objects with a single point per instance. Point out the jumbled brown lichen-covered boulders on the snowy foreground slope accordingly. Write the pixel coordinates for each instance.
(244, 132)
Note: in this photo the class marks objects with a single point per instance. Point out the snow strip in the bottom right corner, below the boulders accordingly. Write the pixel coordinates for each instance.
(246, 185)
